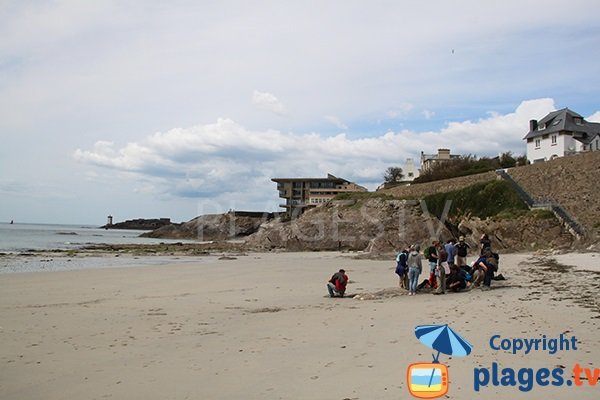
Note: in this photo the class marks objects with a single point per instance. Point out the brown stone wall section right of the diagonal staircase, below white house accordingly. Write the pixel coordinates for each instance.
(572, 182)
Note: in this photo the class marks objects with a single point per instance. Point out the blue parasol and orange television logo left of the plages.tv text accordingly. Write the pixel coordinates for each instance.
(428, 380)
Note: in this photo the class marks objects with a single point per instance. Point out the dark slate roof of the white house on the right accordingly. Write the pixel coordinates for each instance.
(565, 120)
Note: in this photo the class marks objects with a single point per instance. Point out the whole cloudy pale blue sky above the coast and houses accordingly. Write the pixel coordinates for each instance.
(148, 109)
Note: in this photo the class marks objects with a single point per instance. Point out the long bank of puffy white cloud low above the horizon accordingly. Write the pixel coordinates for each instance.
(227, 160)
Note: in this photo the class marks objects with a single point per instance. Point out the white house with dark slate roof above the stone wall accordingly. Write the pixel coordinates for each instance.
(561, 133)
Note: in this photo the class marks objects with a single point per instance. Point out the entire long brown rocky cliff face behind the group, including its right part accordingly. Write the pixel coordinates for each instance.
(382, 226)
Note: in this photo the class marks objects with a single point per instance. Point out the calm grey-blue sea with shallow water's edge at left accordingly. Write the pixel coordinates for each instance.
(19, 243)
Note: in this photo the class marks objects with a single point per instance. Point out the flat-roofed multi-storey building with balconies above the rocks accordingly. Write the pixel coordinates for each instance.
(302, 193)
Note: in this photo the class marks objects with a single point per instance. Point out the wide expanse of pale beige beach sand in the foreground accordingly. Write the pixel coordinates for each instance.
(260, 327)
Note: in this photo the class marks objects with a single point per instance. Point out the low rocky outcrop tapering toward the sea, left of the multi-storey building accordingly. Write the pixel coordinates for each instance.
(233, 224)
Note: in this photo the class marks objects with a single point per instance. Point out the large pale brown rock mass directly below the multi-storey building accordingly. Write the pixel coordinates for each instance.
(374, 225)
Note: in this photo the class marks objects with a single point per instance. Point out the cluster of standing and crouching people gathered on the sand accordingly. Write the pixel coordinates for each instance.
(448, 267)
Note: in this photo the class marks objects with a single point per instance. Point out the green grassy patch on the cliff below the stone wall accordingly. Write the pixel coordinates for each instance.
(483, 200)
